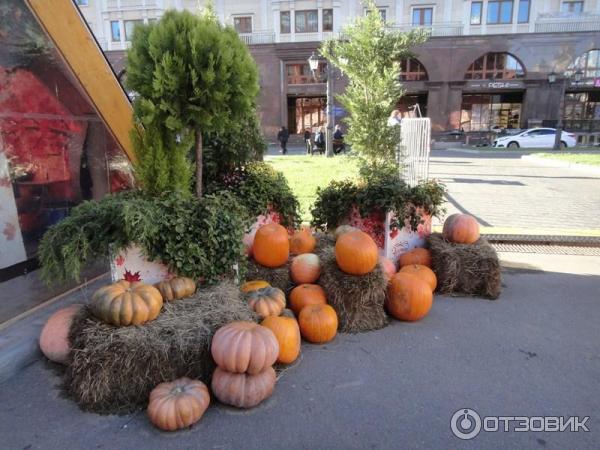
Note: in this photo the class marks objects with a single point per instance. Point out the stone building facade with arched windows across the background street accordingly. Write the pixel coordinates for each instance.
(487, 64)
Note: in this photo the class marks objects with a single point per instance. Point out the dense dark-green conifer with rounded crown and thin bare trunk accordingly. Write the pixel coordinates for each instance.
(192, 76)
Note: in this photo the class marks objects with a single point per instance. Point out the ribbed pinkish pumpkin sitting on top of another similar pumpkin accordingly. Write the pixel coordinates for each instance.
(244, 347)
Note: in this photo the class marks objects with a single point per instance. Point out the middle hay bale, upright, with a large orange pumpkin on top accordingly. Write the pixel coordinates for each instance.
(358, 300)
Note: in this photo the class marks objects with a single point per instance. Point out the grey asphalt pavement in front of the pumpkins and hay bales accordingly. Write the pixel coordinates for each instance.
(533, 352)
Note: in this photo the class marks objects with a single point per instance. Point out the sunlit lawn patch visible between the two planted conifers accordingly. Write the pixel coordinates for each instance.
(306, 173)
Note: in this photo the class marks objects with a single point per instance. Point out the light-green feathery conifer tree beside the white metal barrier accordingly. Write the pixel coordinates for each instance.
(369, 54)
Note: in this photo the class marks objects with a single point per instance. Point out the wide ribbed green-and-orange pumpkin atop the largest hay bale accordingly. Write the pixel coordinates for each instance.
(124, 303)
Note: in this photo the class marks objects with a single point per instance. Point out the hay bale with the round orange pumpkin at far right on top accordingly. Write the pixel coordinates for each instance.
(466, 269)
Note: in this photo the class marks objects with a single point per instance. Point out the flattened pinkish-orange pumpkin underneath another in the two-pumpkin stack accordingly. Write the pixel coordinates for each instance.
(243, 390)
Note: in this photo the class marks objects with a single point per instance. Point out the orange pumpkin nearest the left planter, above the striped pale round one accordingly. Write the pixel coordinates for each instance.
(271, 245)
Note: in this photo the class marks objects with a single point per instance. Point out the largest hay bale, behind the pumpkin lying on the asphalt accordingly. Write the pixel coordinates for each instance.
(114, 369)
